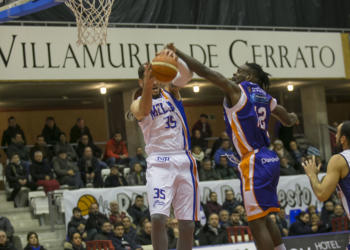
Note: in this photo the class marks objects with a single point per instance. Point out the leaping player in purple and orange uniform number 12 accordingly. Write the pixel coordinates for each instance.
(247, 109)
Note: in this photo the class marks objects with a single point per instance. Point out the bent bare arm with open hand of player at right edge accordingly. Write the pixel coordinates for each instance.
(335, 170)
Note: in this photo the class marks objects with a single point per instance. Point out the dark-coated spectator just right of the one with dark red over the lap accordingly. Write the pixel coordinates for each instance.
(66, 171)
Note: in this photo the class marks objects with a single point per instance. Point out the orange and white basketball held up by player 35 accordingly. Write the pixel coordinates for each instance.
(164, 68)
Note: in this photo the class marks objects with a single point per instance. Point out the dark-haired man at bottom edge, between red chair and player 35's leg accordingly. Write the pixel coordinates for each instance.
(120, 240)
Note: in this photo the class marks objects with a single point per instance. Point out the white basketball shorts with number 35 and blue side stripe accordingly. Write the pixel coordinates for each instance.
(172, 178)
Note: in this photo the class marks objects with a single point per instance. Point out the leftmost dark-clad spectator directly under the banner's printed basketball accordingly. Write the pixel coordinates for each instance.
(78, 224)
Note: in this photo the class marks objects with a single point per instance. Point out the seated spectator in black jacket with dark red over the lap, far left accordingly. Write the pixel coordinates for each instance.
(42, 174)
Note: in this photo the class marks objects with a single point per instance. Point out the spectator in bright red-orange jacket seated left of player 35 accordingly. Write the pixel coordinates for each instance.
(116, 152)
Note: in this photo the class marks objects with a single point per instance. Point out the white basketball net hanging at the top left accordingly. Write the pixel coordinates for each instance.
(92, 20)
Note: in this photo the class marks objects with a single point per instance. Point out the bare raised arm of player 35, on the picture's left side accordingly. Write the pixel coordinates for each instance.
(141, 108)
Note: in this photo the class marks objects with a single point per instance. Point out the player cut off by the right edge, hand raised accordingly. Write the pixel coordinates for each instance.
(338, 173)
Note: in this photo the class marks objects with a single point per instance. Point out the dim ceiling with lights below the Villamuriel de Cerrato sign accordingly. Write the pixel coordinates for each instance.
(76, 94)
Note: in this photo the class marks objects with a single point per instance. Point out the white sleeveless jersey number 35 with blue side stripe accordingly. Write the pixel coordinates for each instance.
(165, 128)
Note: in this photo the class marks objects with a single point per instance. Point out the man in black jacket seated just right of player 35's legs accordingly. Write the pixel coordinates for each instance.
(212, 233)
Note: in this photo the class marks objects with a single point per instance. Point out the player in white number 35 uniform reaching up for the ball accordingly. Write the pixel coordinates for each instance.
(172, 177)
